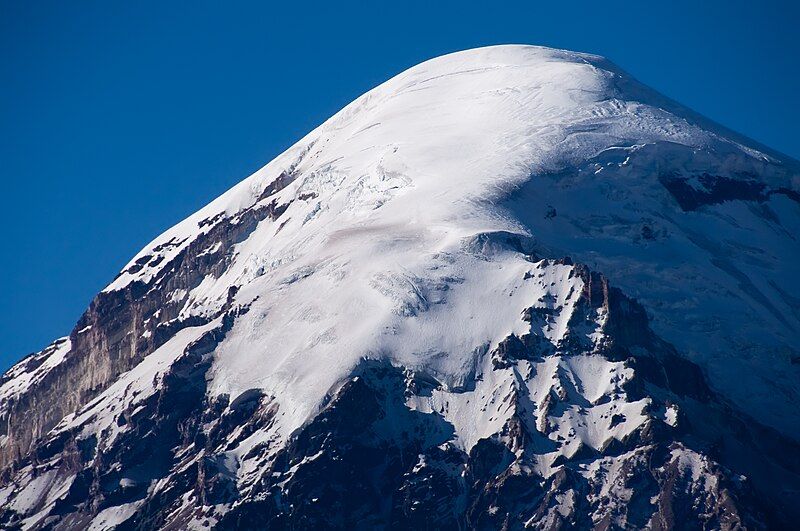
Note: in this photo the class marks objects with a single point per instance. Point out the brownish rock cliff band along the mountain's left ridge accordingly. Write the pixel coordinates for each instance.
(121, 327)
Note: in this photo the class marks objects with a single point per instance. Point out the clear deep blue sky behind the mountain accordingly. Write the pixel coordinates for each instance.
(118, 119)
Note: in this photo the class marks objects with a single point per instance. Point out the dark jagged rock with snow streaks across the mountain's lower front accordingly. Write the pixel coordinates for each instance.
(385, 451)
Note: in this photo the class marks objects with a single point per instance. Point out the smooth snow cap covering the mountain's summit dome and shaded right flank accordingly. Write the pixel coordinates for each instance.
(395, 244)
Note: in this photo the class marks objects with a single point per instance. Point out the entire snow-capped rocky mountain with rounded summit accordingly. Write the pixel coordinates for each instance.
(510, 287)
